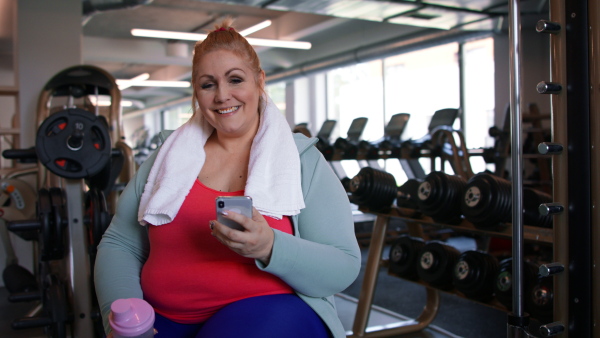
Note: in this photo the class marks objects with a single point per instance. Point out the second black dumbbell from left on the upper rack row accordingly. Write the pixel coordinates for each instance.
(440, 195)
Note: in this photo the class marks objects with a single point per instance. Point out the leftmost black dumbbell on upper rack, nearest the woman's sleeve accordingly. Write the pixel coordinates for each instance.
(374, 189)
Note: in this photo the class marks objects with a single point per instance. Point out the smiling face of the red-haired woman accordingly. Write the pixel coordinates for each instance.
(228, 92)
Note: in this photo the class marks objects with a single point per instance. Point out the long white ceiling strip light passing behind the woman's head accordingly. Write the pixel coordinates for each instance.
(149, 33)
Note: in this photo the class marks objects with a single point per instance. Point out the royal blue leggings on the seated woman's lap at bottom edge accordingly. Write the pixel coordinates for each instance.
(272, 316)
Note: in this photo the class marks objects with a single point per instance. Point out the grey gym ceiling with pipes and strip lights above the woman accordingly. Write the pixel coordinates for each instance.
(334, 27)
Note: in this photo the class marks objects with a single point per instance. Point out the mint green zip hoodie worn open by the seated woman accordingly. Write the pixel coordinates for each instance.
(321, 259)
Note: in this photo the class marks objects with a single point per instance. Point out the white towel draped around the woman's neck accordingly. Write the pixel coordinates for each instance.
(274, 181)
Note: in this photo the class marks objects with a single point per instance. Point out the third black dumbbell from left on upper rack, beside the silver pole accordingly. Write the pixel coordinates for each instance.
(487, 201)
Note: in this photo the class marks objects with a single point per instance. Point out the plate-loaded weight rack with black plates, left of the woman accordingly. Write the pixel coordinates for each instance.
(81, 159)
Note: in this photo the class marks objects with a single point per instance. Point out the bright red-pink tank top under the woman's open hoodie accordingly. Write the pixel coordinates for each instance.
(189, 274)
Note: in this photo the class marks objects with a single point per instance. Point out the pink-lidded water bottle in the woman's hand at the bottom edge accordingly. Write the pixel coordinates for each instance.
(131, 317)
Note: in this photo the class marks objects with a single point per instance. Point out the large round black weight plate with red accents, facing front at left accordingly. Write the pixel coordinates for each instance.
(73, 143)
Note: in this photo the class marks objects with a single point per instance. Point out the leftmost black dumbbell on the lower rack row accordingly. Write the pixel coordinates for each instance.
(403, 257)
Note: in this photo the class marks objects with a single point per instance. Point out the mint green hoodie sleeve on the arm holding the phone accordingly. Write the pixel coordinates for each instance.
(324, 258)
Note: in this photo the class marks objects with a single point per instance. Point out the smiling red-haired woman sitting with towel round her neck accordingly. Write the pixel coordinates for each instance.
(277, 277)
